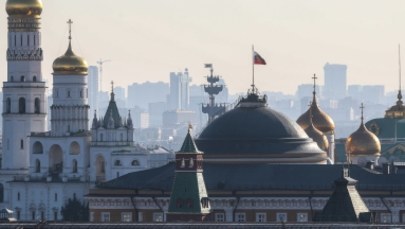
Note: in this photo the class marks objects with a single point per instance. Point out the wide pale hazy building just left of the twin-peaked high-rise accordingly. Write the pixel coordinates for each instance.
(143, 94)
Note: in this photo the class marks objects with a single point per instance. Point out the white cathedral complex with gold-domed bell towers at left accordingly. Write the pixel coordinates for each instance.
(41, 168)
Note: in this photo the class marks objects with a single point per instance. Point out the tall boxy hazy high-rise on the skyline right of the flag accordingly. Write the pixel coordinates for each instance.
(335, 81)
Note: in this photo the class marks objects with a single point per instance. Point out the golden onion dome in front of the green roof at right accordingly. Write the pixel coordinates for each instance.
(363, 142)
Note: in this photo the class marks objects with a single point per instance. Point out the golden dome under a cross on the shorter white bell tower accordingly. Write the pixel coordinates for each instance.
(70, 64)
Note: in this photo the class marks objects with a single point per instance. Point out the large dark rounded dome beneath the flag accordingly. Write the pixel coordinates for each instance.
(254, 133)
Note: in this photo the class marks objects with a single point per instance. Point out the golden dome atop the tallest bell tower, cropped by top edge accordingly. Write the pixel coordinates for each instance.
(24, 7)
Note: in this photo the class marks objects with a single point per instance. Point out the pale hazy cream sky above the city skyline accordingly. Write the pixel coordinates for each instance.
(147, 39)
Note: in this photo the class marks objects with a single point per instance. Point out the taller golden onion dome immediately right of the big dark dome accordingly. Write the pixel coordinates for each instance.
(320, 119)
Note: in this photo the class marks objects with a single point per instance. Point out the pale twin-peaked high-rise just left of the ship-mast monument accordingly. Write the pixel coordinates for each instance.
(179, 97)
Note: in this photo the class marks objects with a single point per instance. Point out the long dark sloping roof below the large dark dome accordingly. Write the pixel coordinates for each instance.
(250, 177)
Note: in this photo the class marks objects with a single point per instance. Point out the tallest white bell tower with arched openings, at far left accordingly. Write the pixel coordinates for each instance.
(24, 97)
